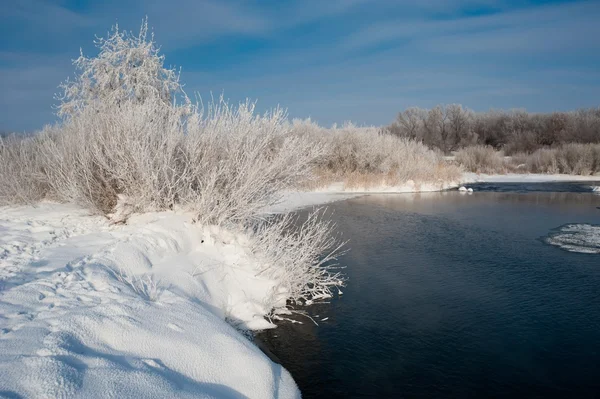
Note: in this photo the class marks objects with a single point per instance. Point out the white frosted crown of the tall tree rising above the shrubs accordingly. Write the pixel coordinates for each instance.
(128, 68)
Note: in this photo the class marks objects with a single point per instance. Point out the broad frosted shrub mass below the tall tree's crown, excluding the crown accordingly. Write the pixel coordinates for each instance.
(223, 164)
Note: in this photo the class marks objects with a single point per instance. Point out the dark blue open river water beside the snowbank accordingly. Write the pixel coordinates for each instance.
(455, 295)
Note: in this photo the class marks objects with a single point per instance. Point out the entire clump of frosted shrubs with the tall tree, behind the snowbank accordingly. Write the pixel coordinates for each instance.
(124, 136)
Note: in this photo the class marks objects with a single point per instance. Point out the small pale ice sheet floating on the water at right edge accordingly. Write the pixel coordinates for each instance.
(582, 238)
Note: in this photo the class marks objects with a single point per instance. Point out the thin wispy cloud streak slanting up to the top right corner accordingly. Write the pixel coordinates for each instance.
(535, 28)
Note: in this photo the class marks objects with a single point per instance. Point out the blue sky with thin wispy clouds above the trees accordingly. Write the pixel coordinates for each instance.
(332, 60)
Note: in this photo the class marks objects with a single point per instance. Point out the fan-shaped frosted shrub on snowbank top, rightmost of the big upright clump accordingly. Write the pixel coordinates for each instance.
(240, 161)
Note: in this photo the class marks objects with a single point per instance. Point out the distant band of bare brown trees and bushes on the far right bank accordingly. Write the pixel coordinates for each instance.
(452, 127)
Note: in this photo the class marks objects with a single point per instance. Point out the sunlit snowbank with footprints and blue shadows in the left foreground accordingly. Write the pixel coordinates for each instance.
(71, 325)
